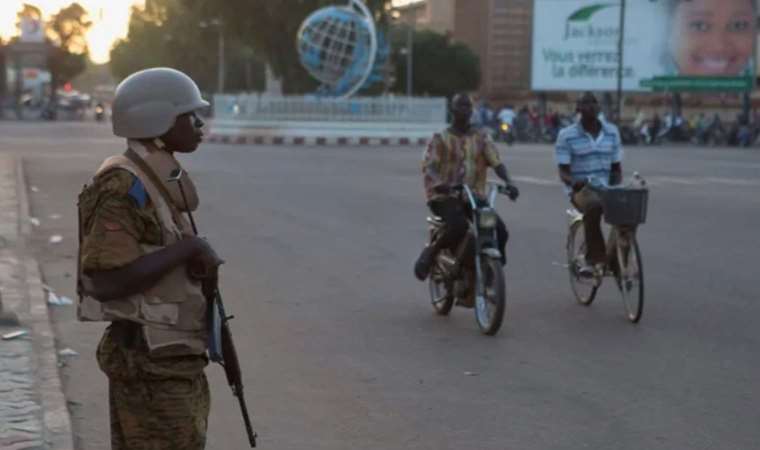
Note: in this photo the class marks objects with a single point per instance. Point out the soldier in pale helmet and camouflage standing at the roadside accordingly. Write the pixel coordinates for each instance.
(142, 269)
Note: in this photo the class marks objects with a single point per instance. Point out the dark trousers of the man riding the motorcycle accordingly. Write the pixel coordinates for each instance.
(455, 214)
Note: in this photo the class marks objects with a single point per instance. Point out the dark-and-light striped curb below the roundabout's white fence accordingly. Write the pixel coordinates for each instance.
(316, 141)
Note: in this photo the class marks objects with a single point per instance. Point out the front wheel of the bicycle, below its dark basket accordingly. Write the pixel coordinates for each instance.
(630, 278)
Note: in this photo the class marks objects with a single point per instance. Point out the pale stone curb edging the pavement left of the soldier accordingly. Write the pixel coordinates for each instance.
(56, 420)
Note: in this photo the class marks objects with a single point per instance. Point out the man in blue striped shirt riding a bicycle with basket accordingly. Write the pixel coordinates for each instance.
(590, 150)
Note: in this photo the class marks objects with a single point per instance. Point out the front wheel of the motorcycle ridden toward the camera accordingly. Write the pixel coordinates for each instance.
(489, 309)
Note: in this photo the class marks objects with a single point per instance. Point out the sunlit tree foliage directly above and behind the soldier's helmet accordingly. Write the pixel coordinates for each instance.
(178, 34)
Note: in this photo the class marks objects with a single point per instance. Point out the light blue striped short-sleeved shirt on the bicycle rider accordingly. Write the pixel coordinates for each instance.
(586, 156)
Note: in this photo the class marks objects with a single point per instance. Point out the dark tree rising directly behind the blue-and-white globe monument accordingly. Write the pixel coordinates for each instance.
(271, 29)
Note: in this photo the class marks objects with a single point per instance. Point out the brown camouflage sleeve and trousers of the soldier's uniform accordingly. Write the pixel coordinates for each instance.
(156, 403)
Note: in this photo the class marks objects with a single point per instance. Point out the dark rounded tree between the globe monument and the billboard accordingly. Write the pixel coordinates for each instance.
(440, 66)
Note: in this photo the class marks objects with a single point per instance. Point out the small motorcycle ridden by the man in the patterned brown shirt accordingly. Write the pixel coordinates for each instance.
(472, 274)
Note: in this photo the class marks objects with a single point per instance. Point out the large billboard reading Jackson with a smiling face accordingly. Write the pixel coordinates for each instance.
(669, 45)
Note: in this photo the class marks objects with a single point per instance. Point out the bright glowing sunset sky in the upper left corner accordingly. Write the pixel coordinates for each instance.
(110, 20)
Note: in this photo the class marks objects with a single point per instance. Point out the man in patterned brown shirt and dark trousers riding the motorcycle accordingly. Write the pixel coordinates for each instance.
(458, 155)
